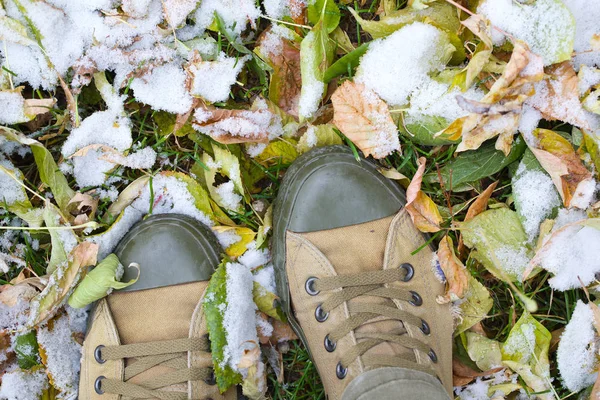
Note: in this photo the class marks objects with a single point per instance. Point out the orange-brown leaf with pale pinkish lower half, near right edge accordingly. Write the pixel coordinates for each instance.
(562, 163)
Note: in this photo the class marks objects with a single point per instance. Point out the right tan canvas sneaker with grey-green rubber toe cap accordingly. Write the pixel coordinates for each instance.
(357, 291)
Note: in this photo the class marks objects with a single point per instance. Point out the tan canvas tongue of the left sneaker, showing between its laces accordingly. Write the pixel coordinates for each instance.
(149, 315)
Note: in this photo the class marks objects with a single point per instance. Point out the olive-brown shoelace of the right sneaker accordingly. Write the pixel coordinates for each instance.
(371, 284)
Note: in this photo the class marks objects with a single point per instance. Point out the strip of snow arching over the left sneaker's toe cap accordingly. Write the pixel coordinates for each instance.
(171, 196)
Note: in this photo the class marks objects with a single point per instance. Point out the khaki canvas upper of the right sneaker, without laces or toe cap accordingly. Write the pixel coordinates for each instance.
(385, 243)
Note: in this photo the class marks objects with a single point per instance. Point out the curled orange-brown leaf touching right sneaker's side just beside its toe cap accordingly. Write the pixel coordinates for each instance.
(422, 210)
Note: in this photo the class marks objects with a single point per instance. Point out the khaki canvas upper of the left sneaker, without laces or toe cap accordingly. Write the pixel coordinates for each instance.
(164, 313)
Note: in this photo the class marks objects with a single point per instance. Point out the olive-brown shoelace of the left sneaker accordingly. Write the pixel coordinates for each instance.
(170, 353)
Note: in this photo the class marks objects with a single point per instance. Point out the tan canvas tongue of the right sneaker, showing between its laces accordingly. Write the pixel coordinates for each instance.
(357, 249)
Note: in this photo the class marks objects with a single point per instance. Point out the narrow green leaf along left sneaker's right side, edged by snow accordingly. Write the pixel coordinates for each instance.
(214, 300)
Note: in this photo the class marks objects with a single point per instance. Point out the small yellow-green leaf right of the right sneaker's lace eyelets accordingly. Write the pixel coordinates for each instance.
(477, 303)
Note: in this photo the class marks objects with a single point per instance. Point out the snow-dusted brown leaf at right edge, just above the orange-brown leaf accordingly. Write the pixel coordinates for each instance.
(557, 96)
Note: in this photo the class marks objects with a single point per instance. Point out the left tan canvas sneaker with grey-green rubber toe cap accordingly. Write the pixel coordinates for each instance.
(150, 339)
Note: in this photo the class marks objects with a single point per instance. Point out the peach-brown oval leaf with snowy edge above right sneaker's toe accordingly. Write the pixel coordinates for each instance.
(365, 119)
